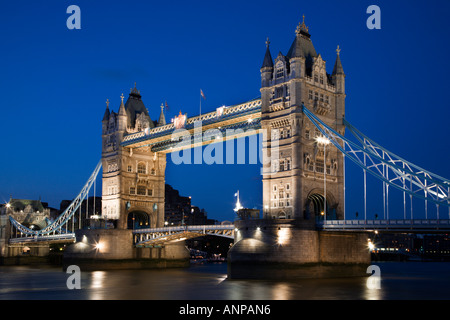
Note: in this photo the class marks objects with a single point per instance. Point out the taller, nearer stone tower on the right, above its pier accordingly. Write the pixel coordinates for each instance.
(303, 166)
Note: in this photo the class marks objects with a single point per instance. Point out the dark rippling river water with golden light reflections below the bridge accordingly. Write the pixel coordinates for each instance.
(407, 280)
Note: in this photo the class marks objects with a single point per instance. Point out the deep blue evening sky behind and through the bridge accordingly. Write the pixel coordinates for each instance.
(54, 83)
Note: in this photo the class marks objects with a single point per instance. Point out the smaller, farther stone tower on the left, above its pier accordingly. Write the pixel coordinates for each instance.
(133, 179)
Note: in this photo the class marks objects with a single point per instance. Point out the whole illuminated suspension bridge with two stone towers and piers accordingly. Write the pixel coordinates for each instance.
(301, 118)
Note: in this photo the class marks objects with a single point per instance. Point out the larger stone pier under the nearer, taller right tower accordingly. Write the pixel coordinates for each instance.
(288, 249)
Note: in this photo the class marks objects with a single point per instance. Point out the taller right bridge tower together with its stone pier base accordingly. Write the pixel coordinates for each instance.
(303, 182)
